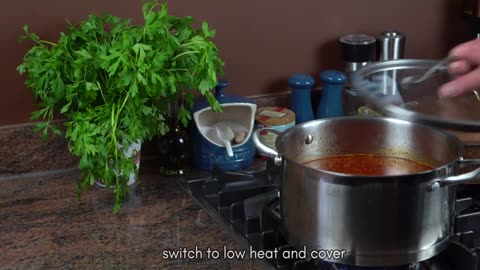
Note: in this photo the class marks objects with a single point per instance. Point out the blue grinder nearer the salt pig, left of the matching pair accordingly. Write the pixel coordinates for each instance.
(301, 97)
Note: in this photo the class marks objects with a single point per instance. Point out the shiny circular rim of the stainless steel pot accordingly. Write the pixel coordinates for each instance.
(449, 136)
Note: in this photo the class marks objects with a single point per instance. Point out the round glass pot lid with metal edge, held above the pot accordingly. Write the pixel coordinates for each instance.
(386, 90)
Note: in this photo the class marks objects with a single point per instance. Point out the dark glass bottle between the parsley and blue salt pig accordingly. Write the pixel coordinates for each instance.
(174, 147)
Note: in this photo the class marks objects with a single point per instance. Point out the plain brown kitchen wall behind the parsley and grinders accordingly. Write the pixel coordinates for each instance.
(262, 42)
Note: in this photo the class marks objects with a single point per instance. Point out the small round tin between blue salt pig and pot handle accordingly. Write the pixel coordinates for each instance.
(278, 118)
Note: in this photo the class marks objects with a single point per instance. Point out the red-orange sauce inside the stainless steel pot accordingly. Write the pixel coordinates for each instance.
(368, 165)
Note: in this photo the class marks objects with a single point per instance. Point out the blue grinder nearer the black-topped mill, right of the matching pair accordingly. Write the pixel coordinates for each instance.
(333, 83)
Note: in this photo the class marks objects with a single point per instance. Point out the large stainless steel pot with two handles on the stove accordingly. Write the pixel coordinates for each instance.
(376, 221)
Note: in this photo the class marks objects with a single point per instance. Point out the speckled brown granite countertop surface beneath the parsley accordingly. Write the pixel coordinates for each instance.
(44, 226)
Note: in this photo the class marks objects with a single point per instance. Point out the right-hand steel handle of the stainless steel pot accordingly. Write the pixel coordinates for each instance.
(437, 183)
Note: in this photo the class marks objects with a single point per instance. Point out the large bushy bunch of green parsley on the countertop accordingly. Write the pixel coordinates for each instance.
(112, 81)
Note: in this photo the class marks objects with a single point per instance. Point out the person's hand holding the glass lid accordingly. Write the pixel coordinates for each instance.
(465, 69)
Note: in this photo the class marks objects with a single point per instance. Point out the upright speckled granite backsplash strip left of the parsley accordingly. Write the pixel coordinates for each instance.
(23, 151)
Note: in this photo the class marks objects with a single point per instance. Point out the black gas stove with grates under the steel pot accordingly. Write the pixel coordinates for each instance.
(247, 204)
